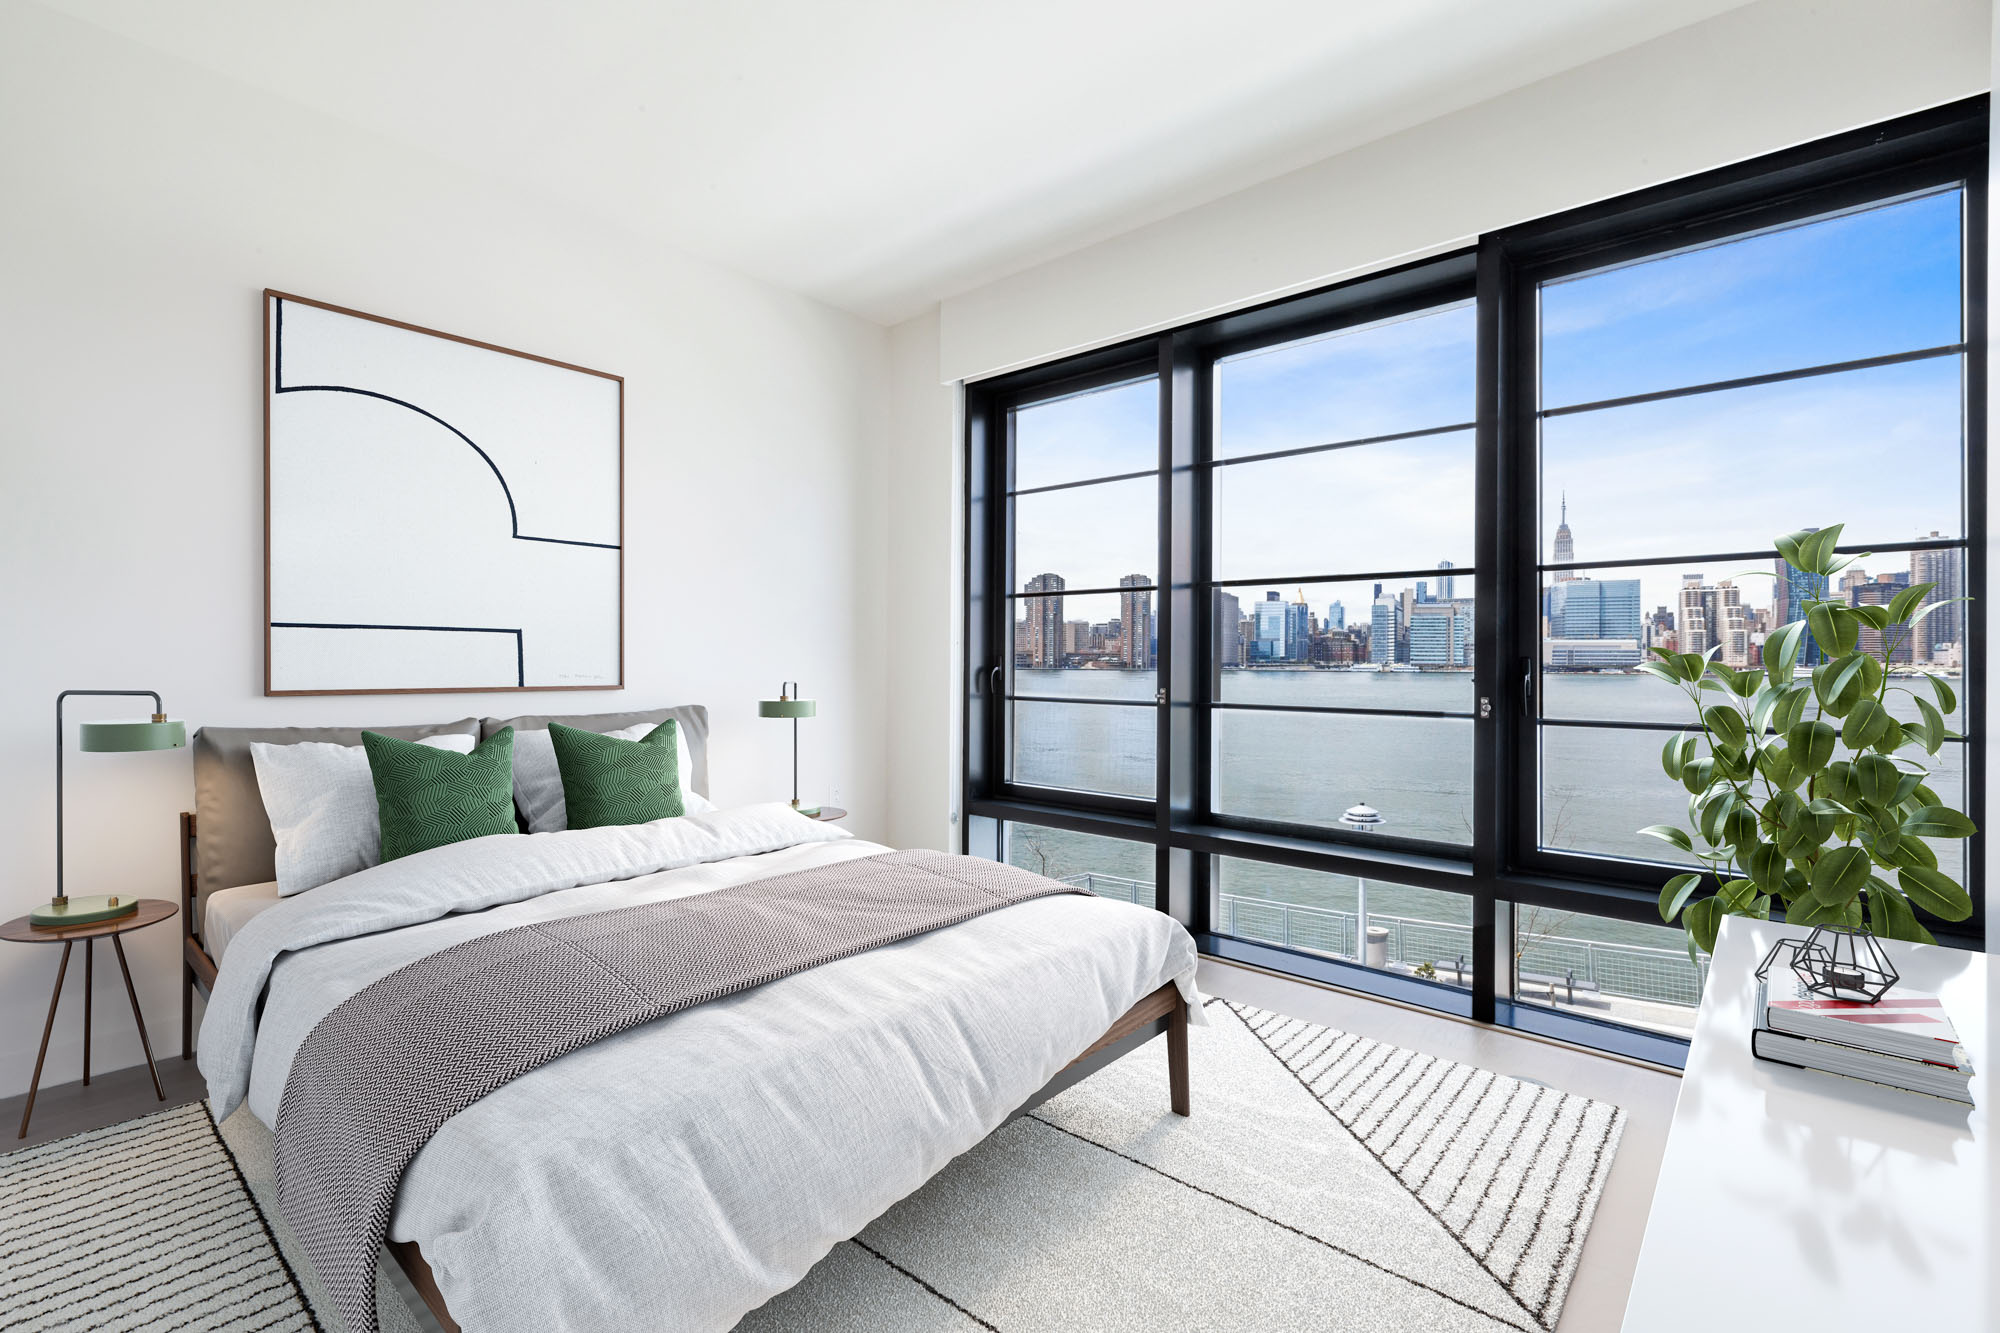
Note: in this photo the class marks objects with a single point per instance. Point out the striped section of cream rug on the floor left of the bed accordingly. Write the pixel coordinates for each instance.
(143, 1226)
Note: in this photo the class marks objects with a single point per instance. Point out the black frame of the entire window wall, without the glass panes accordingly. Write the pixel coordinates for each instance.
(1503, 866)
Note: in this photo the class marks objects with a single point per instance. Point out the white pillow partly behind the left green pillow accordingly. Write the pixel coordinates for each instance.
(323, 808)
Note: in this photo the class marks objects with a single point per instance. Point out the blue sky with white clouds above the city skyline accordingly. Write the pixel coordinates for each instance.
(1725, 471)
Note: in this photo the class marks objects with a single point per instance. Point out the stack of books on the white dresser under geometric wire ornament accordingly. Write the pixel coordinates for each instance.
(1905, 1042)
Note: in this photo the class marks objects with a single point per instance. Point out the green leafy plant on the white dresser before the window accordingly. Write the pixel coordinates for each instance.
(1805, 794)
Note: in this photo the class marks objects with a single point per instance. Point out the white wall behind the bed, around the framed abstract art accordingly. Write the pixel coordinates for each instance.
(147, 207)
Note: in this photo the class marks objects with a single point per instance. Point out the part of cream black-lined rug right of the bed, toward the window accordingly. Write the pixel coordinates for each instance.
(1325, 1182)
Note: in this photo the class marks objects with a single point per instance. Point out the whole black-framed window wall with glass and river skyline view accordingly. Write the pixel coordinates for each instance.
(1319, 623)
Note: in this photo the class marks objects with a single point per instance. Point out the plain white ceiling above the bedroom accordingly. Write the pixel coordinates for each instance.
(881, 155)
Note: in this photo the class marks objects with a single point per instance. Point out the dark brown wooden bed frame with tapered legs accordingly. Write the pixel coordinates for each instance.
(1163, 1012)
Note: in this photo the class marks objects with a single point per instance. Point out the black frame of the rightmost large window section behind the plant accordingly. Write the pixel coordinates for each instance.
(1905, 157)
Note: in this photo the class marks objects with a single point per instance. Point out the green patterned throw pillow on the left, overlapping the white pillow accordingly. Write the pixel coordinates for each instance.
(431, 798)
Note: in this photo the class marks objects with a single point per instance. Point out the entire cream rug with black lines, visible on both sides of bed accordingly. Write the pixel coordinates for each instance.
(1325, 1182)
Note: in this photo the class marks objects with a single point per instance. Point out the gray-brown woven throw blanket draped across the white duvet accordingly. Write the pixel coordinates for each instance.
(385, 1070)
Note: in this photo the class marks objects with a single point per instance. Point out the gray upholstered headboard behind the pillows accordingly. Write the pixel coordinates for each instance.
(235, 844)
